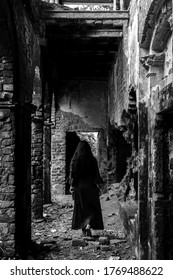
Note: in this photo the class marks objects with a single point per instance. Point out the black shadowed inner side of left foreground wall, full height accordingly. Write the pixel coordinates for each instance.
(27, 58)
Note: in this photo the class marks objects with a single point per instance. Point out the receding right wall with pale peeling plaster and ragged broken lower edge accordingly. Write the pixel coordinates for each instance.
(123, 91)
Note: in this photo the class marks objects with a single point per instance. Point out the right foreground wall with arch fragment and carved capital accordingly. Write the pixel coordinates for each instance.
(155, 96)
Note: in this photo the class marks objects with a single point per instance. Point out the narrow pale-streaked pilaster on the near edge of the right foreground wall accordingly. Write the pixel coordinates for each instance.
(143, 182)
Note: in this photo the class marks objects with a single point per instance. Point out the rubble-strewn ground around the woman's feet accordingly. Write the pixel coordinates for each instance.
(53, 238)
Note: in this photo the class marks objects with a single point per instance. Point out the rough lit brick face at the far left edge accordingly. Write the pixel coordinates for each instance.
(7, 141)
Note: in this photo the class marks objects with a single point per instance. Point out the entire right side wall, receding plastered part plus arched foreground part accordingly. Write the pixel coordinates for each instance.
(150, 78)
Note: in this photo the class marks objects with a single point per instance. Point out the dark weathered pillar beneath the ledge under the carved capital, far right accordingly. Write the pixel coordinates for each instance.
(156, 197)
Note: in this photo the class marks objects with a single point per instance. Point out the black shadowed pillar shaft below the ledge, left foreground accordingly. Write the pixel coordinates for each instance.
(23, 179)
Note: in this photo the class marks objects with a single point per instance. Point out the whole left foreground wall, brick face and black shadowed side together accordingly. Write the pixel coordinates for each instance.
(18, 49)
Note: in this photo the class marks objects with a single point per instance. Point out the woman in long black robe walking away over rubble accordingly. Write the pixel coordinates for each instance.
(85, 179)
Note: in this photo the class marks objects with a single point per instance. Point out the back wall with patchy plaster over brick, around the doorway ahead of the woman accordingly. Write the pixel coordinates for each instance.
(80, 107)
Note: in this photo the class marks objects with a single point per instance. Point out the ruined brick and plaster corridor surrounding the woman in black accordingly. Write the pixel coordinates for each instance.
(100, 71)
